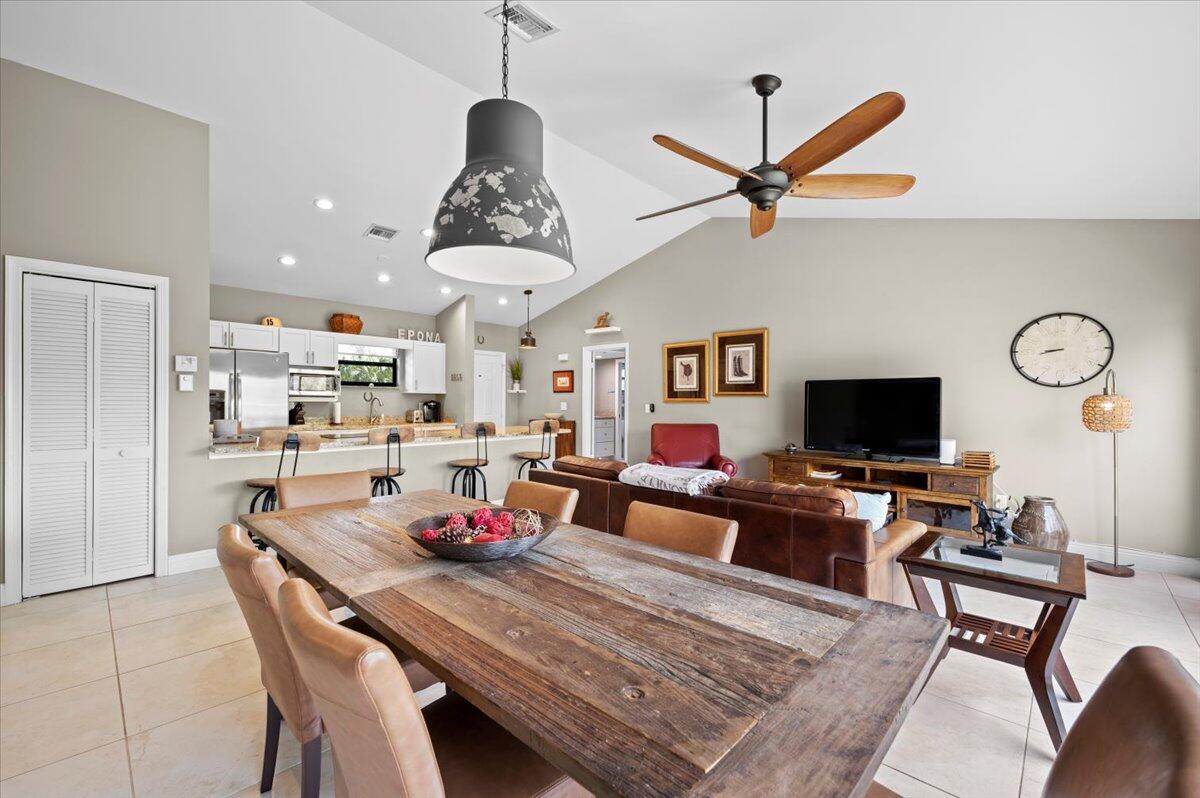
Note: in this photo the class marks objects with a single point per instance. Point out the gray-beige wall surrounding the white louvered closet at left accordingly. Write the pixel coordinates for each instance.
(92, 178)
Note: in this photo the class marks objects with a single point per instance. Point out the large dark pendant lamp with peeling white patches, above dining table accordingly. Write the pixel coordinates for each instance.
(500, 223)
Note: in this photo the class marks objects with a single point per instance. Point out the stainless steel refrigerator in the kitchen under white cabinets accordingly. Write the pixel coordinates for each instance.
(251, 387)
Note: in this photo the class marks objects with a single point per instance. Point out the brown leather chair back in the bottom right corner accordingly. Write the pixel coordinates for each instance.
(1138, 736)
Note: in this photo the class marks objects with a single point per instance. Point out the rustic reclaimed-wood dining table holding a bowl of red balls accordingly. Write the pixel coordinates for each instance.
(637, 670)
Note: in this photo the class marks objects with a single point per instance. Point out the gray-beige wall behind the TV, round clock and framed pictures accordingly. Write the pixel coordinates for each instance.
(873, 298)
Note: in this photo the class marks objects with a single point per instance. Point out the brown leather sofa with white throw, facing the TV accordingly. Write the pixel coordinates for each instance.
(809, 535)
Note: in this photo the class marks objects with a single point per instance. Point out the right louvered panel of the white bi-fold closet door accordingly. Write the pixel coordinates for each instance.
(123, 455)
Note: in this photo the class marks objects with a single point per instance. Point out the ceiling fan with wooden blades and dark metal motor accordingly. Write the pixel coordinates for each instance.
(793, 177)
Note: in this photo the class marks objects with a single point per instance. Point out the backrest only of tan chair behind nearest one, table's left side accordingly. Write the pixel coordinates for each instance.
(255, 578)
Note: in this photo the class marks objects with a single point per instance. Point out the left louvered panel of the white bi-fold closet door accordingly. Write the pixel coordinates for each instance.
(57, 405)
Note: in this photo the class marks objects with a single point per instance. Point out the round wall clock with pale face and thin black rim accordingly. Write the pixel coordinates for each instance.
(1061, 350)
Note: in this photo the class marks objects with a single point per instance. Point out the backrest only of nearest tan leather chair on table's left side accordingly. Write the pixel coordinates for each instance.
(381, 743)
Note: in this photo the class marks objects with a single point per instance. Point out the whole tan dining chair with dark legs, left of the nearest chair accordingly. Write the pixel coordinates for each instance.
(255, 579)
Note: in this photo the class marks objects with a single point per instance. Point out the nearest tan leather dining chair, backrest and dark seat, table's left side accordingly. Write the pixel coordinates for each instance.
(383, 743)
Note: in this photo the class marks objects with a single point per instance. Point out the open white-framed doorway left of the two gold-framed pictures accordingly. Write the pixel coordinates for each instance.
(605, 433)
